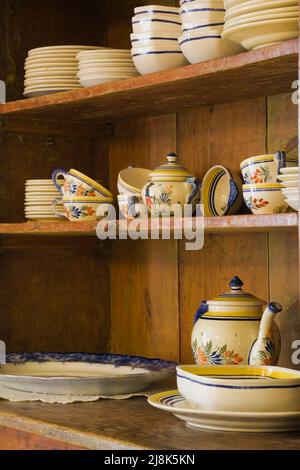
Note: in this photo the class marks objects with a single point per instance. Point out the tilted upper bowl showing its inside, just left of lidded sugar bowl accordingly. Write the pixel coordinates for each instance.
(132, 180)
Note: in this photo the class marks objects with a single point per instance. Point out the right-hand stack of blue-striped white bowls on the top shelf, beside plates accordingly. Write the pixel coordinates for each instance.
(202, 27)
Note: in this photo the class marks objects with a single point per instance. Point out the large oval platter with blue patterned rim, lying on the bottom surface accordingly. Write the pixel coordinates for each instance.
(65, 378)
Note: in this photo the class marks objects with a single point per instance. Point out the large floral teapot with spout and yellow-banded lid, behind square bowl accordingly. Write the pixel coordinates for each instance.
(233, 330)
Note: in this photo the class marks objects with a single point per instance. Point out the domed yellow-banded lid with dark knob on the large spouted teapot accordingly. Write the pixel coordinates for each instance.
(236, 297)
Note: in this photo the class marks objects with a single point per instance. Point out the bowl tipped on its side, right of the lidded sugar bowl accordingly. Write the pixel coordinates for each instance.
(221, 192)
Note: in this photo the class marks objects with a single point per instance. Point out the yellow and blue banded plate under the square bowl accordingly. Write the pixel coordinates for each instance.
(174, 403)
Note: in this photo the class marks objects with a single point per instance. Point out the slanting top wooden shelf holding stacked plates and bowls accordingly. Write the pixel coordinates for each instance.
(264, 72)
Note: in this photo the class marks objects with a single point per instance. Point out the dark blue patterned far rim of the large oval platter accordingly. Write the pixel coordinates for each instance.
(155, 365)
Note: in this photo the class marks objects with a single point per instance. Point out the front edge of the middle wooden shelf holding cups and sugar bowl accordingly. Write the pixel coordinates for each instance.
(237, 223)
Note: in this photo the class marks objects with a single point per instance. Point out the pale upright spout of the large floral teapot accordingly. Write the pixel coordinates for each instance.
(263, 351)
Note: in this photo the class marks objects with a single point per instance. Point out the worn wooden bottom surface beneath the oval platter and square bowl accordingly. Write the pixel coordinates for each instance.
(124, 425)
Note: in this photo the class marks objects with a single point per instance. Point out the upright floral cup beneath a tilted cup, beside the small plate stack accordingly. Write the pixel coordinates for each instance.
(83, 209)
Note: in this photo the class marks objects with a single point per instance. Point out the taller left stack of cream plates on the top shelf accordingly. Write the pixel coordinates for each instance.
(52, 69)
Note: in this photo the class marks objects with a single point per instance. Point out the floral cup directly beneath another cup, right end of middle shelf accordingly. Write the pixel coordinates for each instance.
(264, 198)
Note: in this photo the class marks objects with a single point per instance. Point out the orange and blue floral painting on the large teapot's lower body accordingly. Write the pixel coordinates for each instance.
(207, 354)
